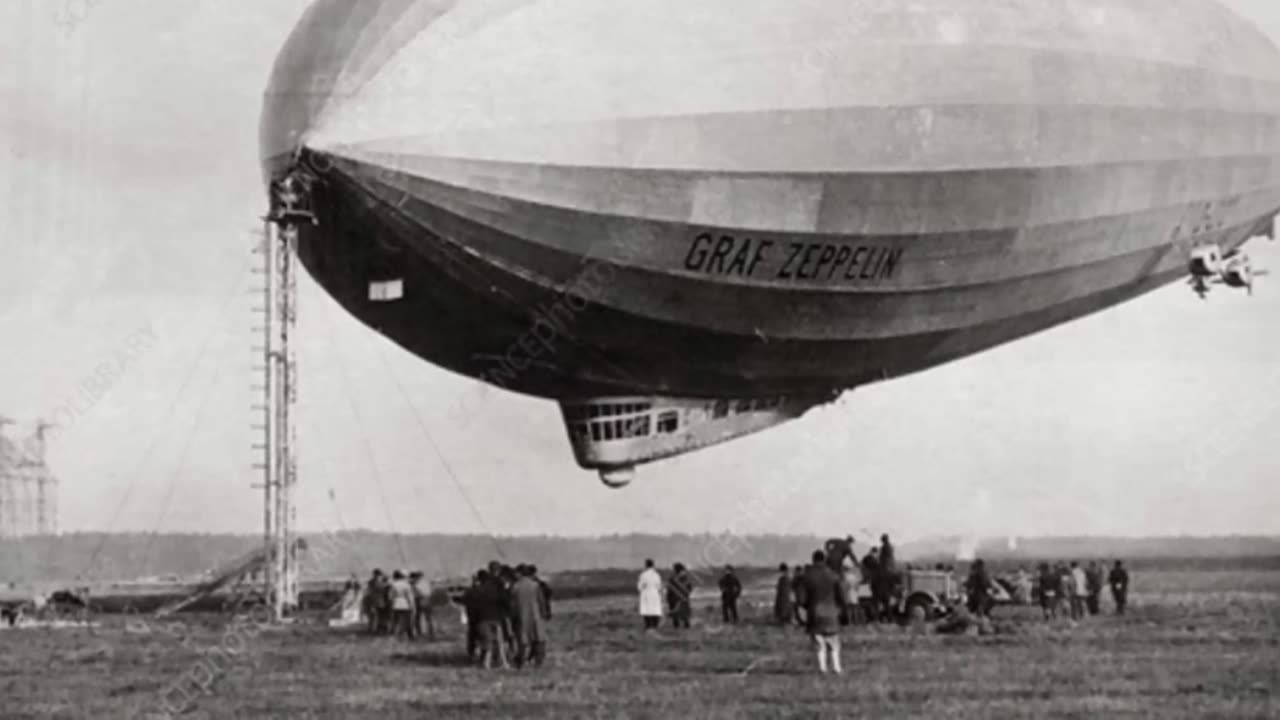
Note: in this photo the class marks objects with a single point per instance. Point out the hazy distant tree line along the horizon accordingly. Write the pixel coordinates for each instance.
(94, 558)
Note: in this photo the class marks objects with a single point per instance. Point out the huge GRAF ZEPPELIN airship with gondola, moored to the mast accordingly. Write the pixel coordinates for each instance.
(688, 222)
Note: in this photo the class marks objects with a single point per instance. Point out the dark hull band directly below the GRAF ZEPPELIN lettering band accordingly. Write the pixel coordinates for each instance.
(802, 313)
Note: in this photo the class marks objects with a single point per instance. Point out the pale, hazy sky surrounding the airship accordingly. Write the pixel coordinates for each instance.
(132, 189)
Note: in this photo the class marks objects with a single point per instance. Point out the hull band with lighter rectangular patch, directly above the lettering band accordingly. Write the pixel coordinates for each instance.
(899, 206)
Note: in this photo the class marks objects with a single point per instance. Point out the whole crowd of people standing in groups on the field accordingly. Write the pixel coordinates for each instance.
(508, 609)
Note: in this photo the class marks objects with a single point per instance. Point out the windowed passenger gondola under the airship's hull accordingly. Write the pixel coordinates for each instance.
(614, 435)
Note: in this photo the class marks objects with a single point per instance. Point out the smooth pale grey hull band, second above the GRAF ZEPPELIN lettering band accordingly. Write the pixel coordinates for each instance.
(903, 139)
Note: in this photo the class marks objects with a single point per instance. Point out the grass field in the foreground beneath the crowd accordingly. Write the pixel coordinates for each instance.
(1197, 644)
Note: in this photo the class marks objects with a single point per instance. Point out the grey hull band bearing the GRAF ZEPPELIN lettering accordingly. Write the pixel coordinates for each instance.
(957, 259)
